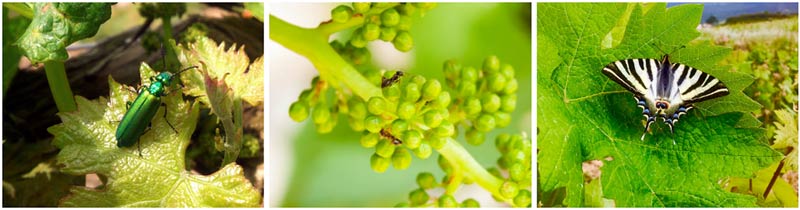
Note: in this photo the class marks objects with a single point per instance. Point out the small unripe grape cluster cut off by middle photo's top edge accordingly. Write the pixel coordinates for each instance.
(386, 21)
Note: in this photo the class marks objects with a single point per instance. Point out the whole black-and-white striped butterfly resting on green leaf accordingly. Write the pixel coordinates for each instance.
(663, 89)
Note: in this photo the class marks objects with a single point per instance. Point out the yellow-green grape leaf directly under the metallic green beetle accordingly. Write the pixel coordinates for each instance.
(158, 177)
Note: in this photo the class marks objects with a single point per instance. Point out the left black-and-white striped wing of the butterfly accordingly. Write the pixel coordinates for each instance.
(636, 75)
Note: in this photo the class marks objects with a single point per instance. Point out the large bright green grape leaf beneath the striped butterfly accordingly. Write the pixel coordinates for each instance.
(584, 115)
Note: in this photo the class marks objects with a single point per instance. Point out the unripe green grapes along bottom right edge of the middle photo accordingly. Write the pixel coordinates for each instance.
(516, 152)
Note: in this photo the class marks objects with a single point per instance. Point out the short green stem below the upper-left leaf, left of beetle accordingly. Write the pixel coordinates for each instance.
(59, 86)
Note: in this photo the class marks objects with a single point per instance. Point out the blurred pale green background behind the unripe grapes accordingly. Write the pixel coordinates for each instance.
(333, 170)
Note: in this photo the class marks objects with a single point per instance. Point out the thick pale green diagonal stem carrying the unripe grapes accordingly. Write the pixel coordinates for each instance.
(313, 44)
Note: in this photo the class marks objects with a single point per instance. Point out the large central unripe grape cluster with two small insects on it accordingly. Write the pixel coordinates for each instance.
(415, 115)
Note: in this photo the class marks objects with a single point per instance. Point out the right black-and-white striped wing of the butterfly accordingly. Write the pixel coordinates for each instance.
(696, 86)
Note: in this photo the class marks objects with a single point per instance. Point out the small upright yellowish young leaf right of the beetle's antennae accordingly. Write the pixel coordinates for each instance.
(225, 78)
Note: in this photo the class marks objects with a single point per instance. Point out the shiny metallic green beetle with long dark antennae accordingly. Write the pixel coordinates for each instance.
(144, 108)
